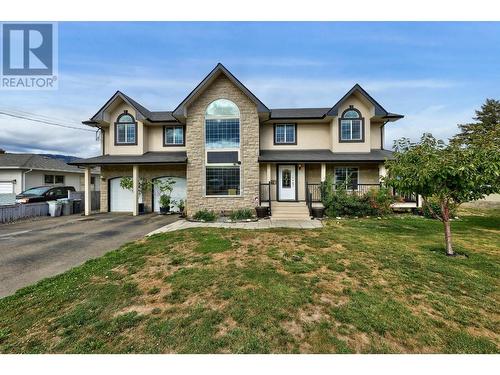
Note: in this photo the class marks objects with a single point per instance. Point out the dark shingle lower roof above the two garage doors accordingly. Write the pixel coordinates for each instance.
(169, 157)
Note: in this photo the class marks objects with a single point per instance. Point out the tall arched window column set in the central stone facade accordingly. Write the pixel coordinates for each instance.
(222, 144)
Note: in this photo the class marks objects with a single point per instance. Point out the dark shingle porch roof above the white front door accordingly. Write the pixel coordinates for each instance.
(323, 156)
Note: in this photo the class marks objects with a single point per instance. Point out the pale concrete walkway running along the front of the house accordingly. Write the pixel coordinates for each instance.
(261, 224)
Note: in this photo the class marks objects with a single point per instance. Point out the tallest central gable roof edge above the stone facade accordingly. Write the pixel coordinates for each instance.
(219, 69)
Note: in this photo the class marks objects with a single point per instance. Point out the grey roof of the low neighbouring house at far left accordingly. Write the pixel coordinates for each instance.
(33, 161)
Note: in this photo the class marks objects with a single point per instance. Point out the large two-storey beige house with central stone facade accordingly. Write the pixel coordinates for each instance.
(226, 149)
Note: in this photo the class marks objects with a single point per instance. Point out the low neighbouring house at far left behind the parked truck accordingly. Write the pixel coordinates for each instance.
(19, 172)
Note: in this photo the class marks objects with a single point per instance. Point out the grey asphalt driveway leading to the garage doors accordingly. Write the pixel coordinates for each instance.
(31, 251)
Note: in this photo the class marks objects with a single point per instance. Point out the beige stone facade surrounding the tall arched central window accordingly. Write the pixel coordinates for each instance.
(222, 88)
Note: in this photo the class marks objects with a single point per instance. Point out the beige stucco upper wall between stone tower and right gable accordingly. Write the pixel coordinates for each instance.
(309, 136)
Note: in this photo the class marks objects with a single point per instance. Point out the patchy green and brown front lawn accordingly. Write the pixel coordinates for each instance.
(355, 286)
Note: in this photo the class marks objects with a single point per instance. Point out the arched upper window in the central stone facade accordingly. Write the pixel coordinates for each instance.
(222, 125)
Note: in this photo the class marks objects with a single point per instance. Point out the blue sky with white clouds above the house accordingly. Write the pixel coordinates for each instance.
(435, 74)
